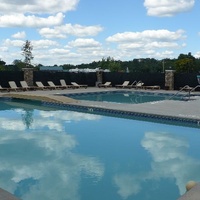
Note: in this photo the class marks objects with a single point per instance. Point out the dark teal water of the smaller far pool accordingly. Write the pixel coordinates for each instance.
(125, 97)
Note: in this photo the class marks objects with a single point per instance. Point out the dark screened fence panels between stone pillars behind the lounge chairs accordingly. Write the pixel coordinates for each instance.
(180, 79)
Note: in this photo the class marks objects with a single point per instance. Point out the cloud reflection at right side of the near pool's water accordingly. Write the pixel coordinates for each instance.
(170, 160)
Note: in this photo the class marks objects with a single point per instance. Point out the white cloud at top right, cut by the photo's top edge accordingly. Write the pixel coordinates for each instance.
(167, 8)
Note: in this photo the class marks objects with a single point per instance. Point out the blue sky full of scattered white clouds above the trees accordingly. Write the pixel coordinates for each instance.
(83, 31)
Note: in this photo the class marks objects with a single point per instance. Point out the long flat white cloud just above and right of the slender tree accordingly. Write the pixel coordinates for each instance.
(69, 29)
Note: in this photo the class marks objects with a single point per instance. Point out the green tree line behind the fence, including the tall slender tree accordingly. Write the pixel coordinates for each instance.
(184, 63)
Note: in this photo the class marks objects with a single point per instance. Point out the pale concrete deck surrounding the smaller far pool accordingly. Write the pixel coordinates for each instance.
(170, 108)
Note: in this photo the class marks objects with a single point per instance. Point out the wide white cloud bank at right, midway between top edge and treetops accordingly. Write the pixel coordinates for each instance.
(148, 42)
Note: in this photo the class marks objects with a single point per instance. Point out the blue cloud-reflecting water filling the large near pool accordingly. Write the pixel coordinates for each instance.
(53, 154)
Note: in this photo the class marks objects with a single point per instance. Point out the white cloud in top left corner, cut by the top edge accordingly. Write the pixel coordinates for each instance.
(37, 6)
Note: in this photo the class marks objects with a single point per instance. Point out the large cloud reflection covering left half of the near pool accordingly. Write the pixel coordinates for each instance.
(43, 159)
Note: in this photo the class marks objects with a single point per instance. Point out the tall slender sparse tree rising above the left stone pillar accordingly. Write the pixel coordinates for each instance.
(27, 53)
